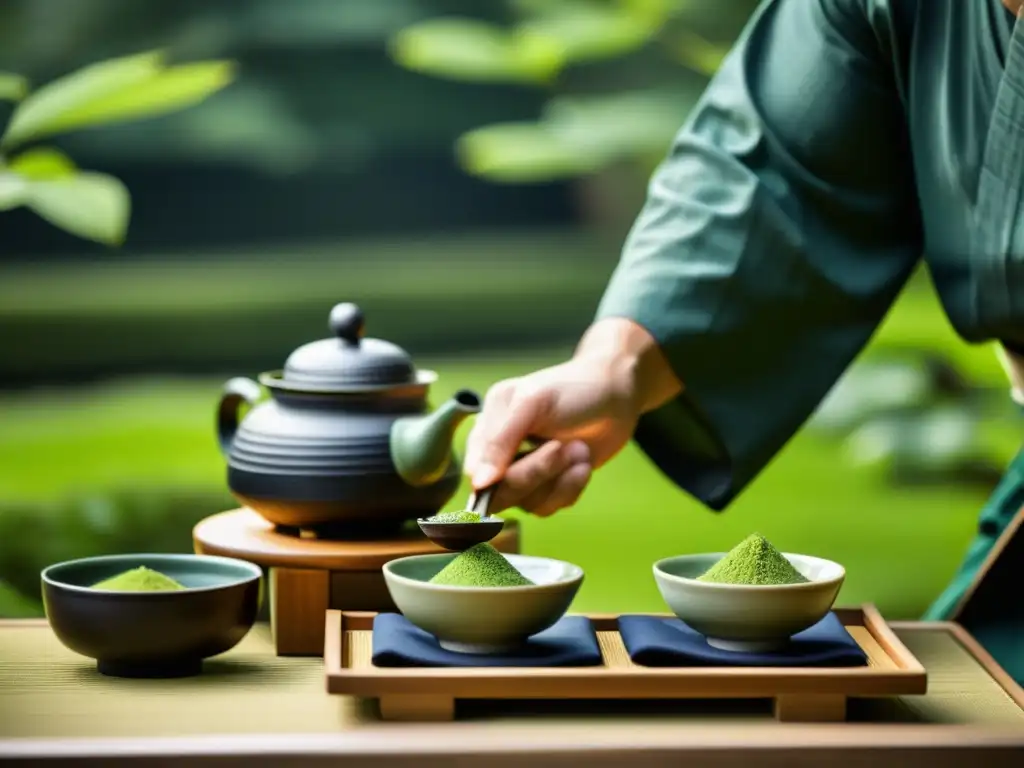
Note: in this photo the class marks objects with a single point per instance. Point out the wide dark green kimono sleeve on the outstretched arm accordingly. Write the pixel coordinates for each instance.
(775, 239)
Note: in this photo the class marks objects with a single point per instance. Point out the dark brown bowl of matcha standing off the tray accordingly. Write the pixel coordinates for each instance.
(152, 634)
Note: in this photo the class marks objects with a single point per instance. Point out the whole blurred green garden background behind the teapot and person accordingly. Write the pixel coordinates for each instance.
(473, 198)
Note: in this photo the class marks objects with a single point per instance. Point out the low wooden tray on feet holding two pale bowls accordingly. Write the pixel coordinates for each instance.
(800, 695)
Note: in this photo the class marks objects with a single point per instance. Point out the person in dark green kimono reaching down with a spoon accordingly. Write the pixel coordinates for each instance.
(841, 144)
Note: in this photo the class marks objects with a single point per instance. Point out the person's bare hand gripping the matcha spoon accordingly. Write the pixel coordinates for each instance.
(584, 411)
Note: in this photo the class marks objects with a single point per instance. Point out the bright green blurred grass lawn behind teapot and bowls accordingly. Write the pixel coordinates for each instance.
(900, 546)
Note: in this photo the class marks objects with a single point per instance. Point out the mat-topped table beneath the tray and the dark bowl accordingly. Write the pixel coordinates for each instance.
(254, 709)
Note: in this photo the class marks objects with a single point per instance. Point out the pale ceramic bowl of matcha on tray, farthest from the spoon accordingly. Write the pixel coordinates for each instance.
(747, 618)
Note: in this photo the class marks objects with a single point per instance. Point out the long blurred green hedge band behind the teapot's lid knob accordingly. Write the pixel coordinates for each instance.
(246, 310)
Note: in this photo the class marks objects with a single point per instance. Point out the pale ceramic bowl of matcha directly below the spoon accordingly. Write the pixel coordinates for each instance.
(483, 620)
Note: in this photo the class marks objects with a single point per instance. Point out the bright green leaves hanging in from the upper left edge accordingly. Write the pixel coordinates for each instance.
(94, 206)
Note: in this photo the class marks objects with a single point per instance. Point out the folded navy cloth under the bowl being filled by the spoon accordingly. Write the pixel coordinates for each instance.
(572, 643)
